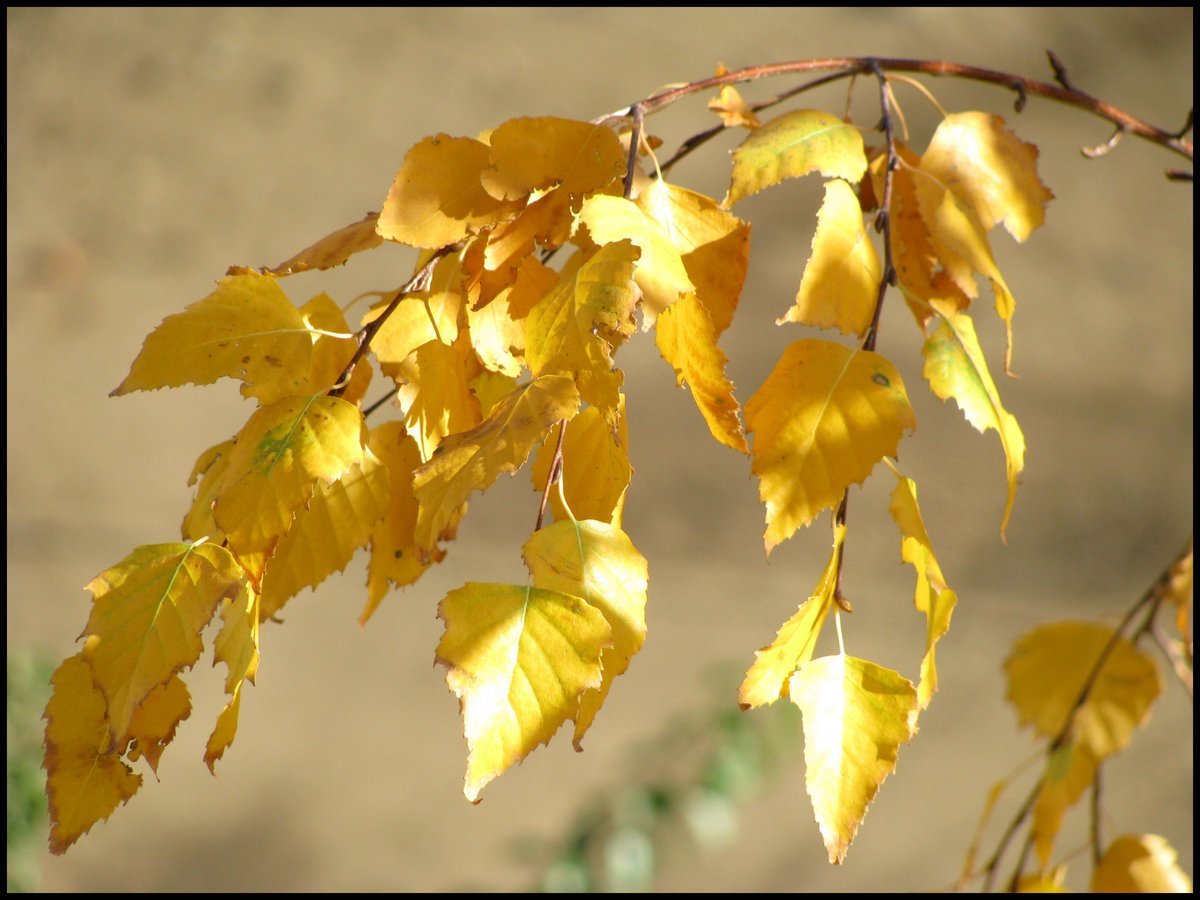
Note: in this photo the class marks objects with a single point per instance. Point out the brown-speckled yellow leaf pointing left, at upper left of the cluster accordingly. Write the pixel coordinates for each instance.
(245, 329)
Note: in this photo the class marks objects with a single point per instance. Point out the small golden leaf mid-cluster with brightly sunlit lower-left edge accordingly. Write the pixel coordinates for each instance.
(436, 393)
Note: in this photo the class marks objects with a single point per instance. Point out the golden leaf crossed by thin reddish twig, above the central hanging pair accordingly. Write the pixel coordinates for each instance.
(596, 467)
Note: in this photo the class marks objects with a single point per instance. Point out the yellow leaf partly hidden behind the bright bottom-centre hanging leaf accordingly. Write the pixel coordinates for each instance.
(597, 562)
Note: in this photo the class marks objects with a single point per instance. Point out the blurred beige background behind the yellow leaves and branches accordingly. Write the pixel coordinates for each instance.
(151, 149)
